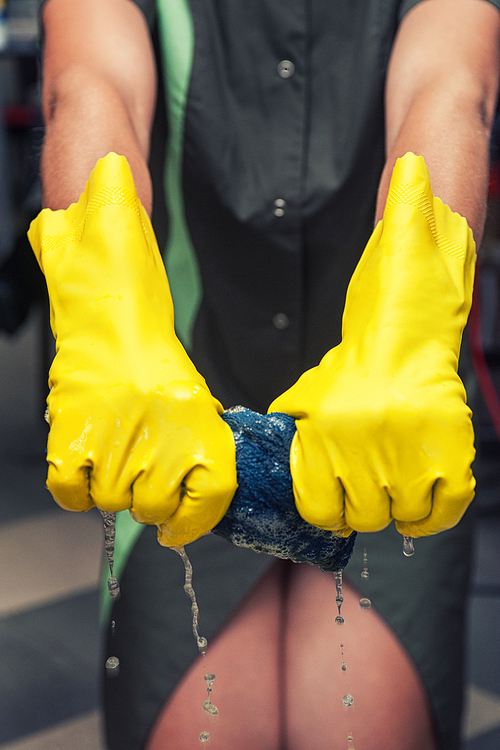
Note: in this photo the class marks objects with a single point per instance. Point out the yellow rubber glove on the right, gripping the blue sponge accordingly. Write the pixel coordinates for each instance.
(383, 429)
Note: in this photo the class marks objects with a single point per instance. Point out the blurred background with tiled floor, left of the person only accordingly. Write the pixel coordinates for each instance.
(50, 560)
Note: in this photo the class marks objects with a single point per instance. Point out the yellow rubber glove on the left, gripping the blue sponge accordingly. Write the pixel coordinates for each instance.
(132, 423)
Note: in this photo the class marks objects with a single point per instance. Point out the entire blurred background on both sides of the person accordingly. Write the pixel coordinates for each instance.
(50, 560)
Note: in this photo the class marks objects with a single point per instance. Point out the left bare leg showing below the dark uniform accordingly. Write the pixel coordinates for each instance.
(245, 658)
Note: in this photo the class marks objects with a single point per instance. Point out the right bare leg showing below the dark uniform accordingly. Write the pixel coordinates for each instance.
(390, 709)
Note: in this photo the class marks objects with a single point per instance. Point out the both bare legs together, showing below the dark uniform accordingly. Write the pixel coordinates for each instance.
(279, 680)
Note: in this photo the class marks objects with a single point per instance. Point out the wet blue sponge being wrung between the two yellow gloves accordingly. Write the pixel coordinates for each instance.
(262, 515)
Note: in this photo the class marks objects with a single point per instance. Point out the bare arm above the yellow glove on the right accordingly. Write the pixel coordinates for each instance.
(440, 100)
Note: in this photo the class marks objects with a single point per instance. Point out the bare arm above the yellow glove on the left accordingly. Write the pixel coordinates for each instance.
(99, 87)
